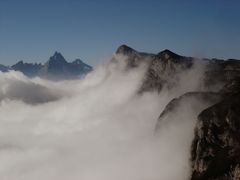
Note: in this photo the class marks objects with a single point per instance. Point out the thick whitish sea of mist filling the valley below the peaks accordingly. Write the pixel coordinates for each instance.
(94, 128)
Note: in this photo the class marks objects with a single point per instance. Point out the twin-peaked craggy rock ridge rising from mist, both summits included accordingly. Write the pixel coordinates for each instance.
(162, 68)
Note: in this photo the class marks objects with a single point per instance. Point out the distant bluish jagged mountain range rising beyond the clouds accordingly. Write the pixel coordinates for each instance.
(56, 68)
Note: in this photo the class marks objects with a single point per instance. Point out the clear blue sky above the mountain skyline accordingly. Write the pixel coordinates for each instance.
(32, 30)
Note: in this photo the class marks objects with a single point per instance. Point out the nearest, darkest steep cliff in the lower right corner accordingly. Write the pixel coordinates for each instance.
(216, 147)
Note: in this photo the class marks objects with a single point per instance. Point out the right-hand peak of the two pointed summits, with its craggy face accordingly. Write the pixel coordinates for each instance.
(164, 69)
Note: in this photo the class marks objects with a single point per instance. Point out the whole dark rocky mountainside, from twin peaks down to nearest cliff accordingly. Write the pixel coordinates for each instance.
(215, 149)
